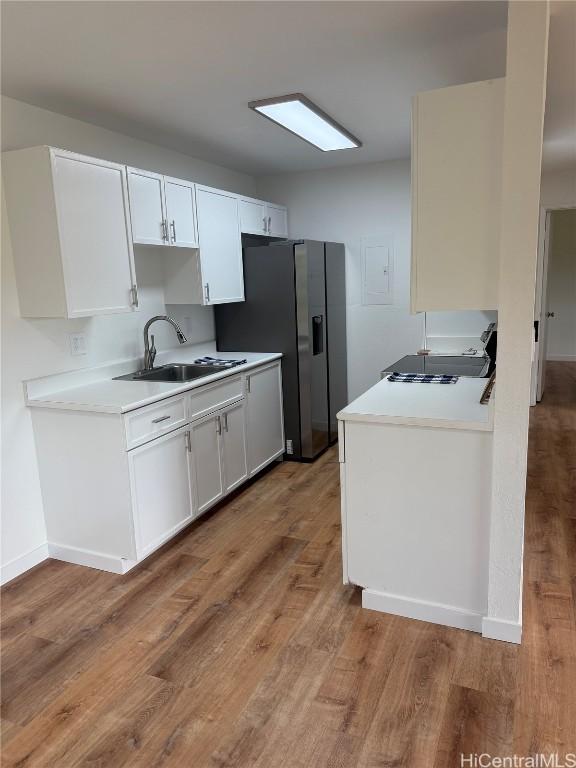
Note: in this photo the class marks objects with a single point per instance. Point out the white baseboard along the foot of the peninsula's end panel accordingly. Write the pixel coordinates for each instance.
(422, 610)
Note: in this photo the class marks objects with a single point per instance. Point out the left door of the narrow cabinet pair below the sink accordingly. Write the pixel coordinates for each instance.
(208, 482)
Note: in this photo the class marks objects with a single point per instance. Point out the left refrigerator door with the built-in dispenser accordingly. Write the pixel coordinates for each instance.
(312, 347)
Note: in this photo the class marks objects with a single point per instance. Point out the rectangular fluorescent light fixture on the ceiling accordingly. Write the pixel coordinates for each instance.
(303, 118)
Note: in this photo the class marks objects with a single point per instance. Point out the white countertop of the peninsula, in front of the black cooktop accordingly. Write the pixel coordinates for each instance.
(453, 406)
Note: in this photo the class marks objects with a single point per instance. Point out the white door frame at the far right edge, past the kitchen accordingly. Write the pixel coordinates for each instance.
(540, 302)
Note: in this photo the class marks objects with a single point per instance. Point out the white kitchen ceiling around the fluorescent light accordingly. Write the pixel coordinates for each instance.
(181, 74)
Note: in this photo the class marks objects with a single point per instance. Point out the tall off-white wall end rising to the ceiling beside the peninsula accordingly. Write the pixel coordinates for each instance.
(526, 59)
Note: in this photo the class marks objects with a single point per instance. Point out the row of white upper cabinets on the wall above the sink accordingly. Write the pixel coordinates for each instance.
(74, 220)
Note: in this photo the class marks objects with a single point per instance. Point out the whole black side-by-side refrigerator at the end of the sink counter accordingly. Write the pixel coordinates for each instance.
(296, 304)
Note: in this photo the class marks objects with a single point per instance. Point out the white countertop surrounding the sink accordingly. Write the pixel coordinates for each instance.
(93, 389)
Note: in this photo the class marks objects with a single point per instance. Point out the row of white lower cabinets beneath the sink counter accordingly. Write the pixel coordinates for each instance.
(144, 475)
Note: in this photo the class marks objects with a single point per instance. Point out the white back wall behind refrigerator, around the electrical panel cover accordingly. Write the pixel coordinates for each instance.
(346, 205)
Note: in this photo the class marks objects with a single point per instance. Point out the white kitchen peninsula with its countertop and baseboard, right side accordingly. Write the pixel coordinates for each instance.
(415, 483)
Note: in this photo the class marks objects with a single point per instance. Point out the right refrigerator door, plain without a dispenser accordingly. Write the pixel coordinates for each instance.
(336, 333)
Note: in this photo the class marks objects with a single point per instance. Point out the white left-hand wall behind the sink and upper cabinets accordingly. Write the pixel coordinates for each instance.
(33, 348)
